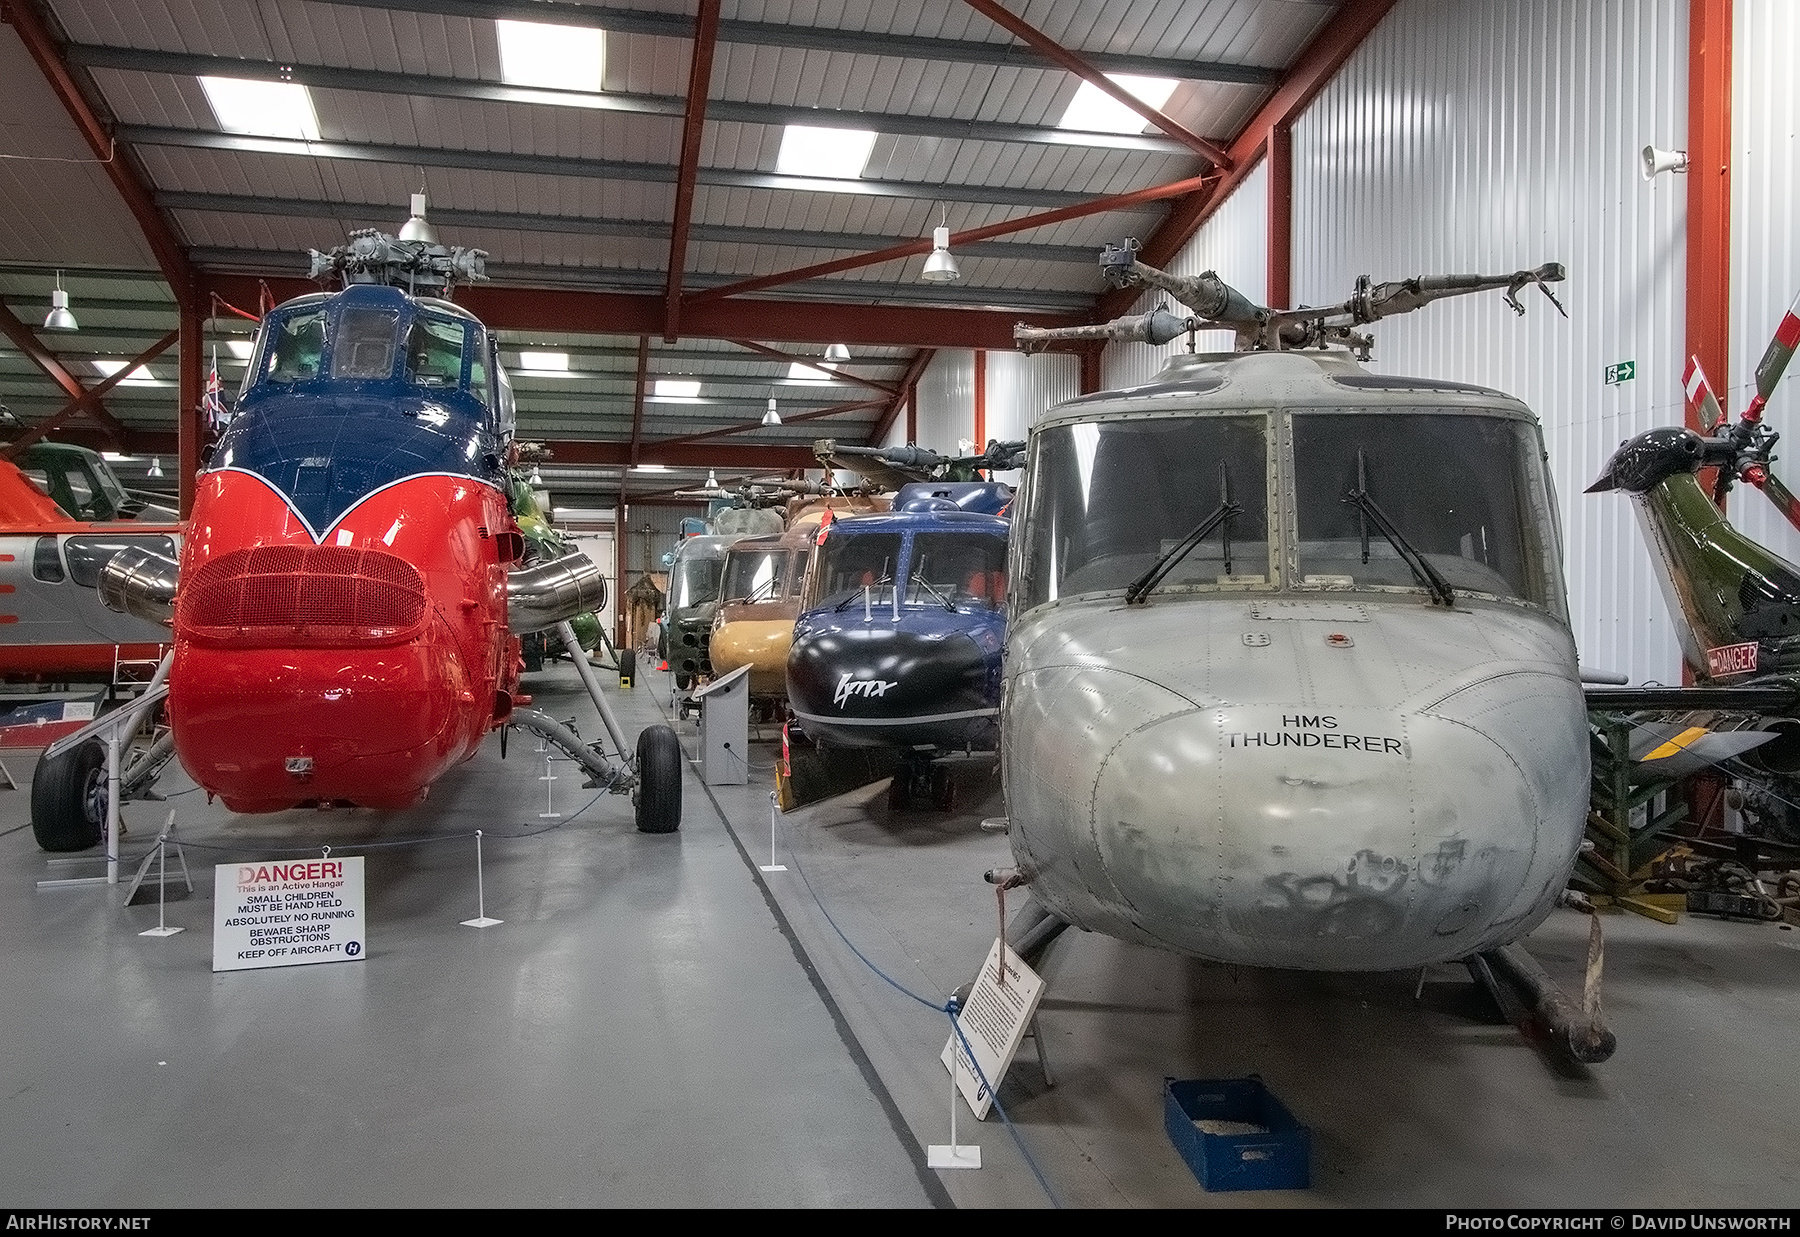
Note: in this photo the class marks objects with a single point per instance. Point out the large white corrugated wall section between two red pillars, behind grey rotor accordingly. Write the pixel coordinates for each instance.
(1502, 134)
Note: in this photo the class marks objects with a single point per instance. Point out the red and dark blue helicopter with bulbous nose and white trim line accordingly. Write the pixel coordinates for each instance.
(354, 582)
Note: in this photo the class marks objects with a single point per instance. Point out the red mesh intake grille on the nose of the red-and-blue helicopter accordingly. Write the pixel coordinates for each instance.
(305, 597)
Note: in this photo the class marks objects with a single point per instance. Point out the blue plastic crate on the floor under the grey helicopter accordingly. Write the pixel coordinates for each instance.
(1279, 1160)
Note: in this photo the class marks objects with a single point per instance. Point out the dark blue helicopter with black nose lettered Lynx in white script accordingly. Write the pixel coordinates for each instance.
(899, 640)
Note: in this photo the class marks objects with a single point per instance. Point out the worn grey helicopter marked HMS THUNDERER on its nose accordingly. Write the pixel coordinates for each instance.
(1290, 678)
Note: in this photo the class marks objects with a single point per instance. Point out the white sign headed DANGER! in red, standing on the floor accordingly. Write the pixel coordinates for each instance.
(287, 914)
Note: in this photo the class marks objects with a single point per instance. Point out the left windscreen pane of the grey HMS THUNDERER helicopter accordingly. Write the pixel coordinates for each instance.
(1110, 500)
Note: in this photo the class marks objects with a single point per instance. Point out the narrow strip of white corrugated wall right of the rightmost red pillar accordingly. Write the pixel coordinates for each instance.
(1765, 242)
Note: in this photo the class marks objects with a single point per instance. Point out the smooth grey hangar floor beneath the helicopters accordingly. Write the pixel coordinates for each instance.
(660, 1024)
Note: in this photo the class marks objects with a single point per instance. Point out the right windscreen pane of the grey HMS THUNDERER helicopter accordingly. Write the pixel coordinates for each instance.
(1464, 491)
